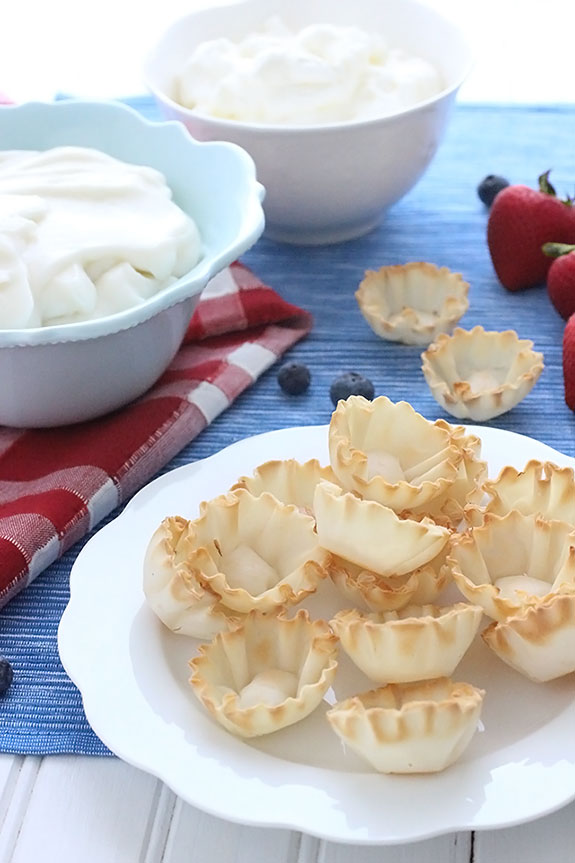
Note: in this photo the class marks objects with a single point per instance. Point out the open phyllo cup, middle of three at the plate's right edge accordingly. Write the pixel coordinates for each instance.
(511, 562)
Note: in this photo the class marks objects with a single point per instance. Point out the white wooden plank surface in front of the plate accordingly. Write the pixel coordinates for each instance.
(64, 809)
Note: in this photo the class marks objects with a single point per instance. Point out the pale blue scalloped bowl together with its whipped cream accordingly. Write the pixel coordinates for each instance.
(111, 226)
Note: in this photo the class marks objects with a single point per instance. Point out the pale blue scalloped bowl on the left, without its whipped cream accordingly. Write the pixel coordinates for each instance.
(63, 374)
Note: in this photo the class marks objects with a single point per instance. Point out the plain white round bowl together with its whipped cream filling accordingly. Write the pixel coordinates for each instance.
(342, 106)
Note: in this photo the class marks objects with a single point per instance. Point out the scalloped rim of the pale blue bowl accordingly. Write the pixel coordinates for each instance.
(188, 285)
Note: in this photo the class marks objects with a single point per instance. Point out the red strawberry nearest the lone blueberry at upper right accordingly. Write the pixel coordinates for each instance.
(520, 221)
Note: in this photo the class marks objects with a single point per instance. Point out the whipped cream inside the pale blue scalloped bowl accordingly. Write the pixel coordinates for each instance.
(84, 235)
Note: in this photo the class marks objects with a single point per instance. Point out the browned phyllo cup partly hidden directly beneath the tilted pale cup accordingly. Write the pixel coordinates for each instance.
(373, 592)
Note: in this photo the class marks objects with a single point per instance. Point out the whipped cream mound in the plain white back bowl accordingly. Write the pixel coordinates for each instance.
(321, 73)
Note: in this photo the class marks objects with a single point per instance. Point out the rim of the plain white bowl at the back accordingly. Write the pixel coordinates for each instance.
(220, 123)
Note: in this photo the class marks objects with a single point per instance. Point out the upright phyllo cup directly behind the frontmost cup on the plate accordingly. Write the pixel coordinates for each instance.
(413, 643)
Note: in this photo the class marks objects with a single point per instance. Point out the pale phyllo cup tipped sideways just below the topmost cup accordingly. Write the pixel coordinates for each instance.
(373, 536)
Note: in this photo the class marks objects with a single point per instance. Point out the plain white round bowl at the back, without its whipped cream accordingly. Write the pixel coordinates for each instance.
(326, 183)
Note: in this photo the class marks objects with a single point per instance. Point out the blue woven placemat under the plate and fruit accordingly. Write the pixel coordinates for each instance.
(441, 221)
